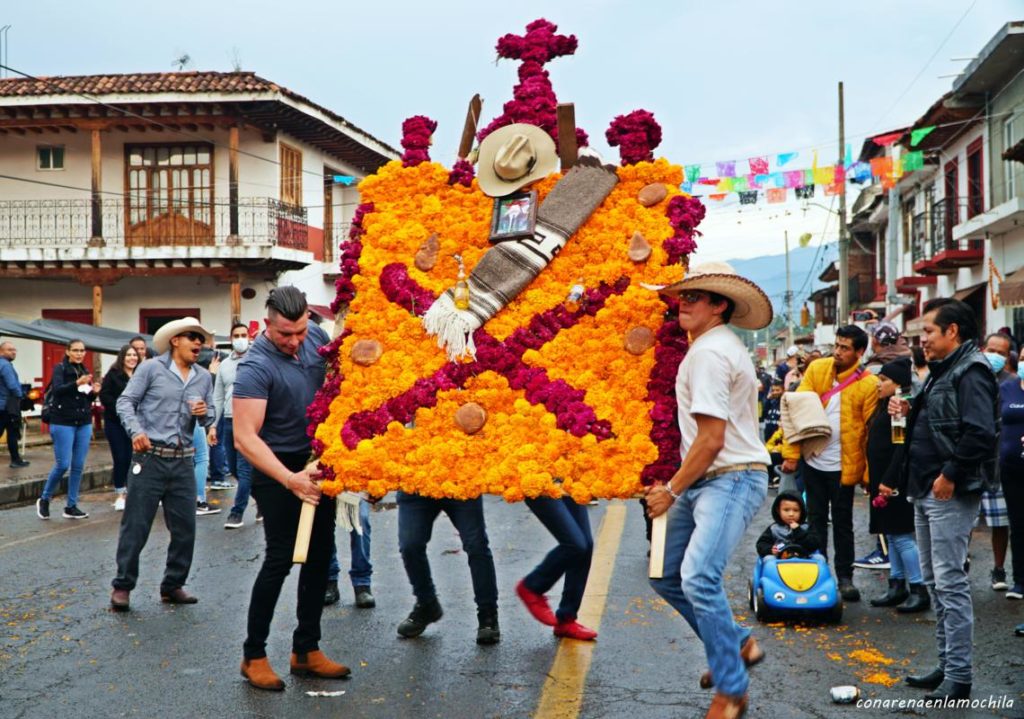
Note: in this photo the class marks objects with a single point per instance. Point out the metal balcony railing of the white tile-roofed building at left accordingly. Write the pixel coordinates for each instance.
(64, 224)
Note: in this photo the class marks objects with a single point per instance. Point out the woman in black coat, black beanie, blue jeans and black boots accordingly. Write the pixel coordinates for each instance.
(891, 515)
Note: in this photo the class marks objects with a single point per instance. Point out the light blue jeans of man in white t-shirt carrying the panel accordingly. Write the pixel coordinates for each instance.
(704, 528)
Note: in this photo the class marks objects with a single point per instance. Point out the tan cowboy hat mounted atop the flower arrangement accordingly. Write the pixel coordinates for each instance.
(515, 156)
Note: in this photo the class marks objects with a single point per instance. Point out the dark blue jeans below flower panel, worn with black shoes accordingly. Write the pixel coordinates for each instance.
(416, 523)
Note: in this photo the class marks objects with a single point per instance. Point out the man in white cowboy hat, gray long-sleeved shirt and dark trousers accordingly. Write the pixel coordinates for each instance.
(159, 409)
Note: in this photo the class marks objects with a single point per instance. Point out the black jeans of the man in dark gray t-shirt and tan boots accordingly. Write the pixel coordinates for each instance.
(281, 521)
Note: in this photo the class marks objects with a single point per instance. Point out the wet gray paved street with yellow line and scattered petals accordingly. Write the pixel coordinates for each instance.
(64, 654)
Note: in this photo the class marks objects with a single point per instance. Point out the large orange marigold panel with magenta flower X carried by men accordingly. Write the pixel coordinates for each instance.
(570, 408)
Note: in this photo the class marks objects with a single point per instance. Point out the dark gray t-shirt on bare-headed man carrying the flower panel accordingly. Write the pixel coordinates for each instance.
(287, 384)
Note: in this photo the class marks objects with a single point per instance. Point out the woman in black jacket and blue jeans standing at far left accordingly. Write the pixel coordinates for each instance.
(72, 393)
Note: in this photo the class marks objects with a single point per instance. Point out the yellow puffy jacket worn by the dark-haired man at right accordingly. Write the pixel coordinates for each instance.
(858, 403)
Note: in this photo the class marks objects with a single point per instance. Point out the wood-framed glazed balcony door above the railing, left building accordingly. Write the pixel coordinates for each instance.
(162, 180)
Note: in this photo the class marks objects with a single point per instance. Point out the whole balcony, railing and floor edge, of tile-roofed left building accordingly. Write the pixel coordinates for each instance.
(57, 238)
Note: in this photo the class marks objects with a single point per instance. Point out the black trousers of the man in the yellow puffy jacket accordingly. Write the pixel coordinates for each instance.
(825, 490)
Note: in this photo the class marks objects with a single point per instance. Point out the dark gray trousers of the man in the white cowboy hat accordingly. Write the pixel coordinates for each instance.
(164, 480)
